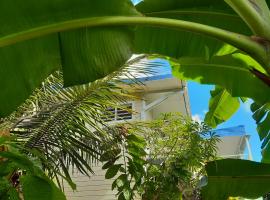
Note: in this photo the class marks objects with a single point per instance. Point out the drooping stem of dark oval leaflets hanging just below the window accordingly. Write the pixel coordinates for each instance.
(127, 164)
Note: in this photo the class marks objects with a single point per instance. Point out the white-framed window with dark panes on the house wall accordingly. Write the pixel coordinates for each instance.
(117, 114)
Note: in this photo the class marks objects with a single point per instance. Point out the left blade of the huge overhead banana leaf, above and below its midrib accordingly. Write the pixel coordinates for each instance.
(84, 54)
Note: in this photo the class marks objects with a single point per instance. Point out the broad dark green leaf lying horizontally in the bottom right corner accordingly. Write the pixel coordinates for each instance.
(231, 177)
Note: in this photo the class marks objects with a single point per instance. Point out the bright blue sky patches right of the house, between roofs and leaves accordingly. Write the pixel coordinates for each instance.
(199, 96)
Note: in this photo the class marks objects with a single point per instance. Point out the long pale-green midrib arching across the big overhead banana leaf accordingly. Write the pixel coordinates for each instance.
(240, 41)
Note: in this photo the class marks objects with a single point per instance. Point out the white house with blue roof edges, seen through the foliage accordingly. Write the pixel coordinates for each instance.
(159, 94)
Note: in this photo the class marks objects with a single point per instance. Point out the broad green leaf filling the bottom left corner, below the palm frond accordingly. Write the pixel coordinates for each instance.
(23, 177)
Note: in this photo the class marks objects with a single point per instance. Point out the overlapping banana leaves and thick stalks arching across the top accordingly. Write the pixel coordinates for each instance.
(89, 40)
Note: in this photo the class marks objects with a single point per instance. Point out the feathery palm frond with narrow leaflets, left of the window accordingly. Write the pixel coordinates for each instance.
(64, 128)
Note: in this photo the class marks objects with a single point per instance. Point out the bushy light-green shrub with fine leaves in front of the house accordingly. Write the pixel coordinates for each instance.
(178, 149)
